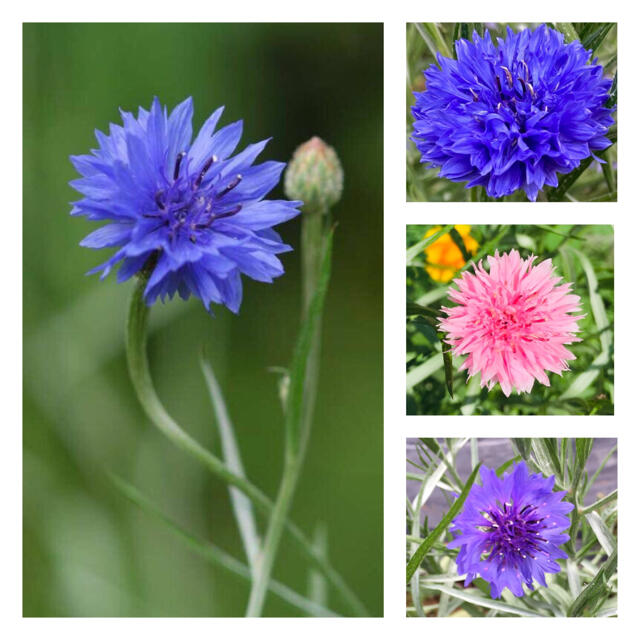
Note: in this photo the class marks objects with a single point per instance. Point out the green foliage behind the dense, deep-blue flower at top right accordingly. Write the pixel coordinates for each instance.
(589, 182)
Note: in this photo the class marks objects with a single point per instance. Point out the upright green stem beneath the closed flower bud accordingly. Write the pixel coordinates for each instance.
(314, 237)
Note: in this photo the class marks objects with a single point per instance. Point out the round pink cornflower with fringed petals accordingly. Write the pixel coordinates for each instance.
(512, 322)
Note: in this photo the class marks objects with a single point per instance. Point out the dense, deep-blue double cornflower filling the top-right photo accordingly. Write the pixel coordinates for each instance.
(513, 115)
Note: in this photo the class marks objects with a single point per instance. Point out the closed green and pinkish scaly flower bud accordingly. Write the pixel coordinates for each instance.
(314, 176)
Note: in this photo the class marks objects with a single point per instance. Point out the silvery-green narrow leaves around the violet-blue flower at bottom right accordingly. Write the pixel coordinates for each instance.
(587, 584)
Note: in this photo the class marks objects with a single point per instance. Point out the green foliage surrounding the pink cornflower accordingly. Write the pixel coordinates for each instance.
(582, 255)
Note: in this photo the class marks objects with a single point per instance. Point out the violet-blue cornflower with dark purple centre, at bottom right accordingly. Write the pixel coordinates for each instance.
(510, 530)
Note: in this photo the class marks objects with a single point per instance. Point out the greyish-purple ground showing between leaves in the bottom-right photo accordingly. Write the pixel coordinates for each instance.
(495, 451)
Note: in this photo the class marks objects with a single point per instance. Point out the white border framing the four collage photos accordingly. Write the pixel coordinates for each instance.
(397, 213)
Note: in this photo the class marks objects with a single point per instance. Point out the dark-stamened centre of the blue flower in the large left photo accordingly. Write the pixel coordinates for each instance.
(189, 205)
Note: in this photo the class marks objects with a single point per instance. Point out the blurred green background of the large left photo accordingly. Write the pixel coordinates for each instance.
(87, 551)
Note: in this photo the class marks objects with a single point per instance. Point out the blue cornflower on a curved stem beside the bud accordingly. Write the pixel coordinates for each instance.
(189, 211)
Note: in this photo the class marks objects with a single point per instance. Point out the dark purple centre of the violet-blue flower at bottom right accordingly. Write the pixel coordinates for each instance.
(513, 534)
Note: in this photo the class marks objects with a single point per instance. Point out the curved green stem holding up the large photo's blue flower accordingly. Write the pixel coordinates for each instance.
(136, 331)
